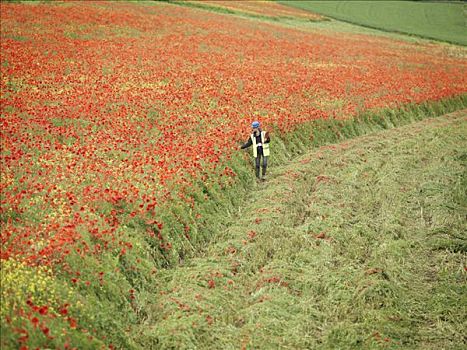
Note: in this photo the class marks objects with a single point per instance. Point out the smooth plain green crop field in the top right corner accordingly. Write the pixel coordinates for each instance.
(444, 21)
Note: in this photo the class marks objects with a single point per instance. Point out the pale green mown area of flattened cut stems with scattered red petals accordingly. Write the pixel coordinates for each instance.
(355, 245)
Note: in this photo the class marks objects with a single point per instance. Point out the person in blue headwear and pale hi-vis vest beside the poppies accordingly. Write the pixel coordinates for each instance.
(259, 139)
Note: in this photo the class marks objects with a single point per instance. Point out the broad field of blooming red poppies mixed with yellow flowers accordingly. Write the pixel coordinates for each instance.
(112, 112)
